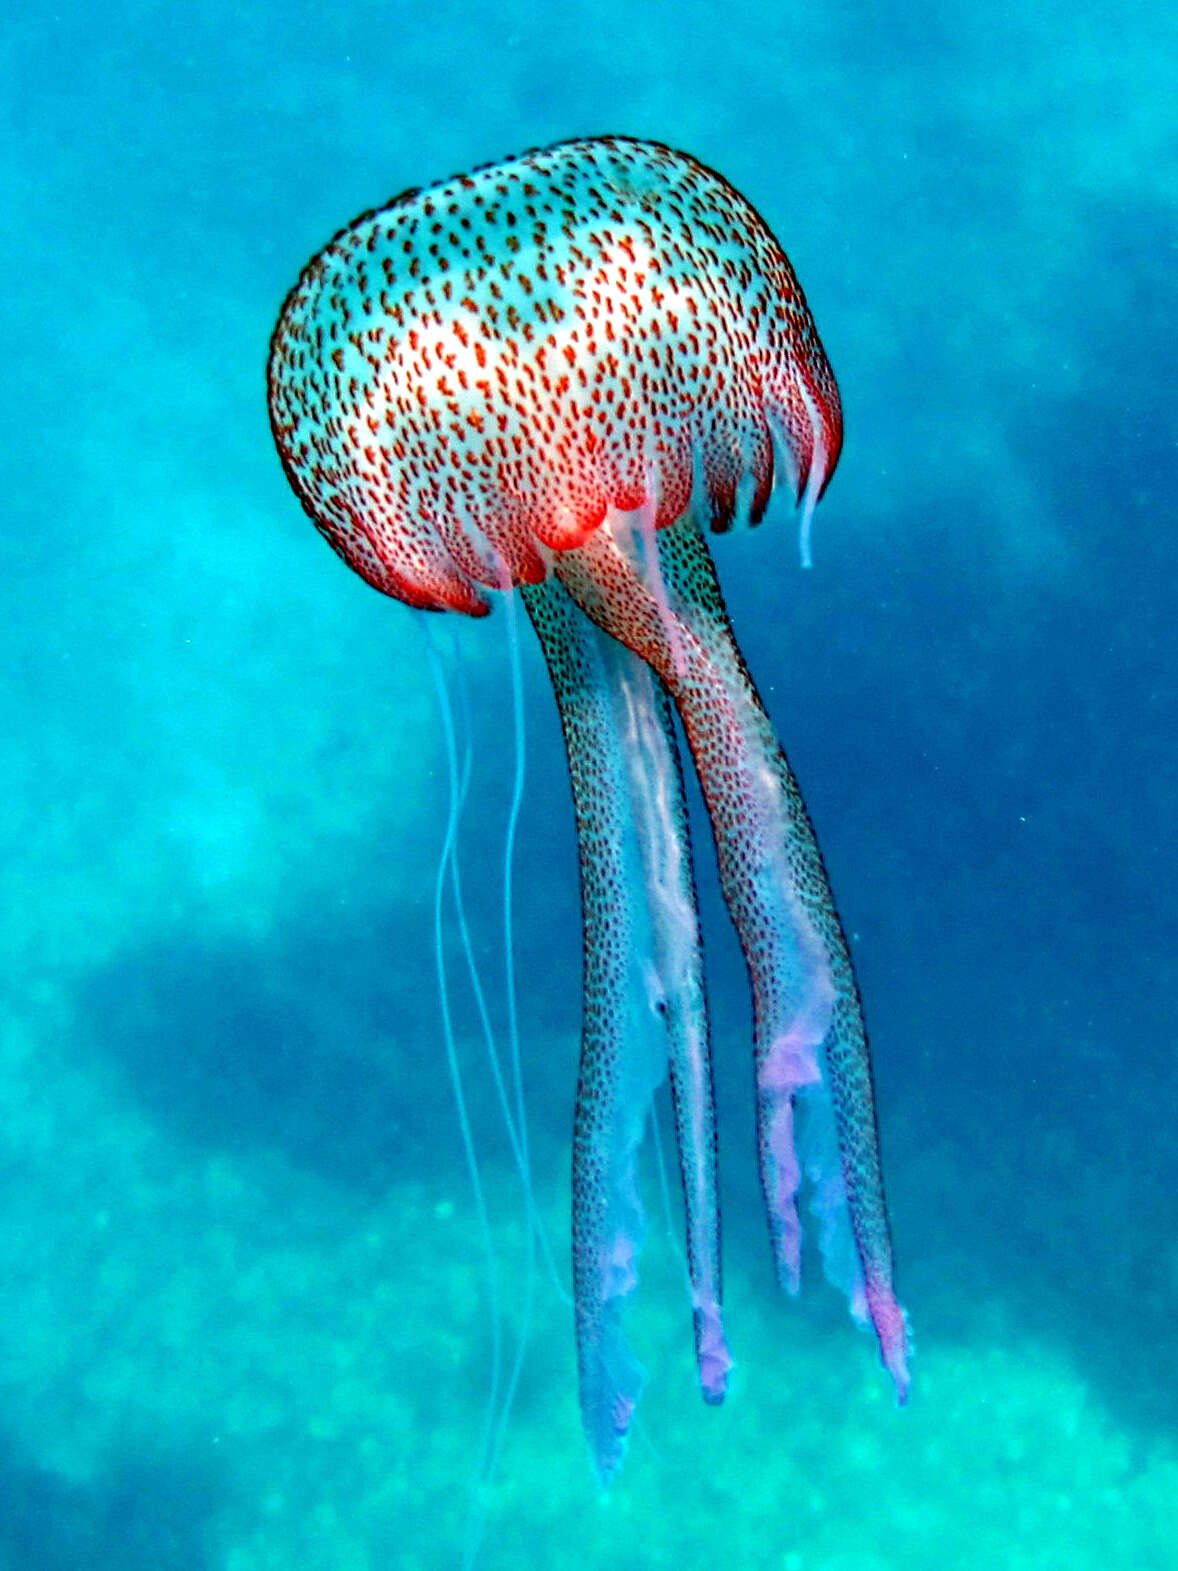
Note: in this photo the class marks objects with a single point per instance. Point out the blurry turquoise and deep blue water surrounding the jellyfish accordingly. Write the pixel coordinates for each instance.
(243, 1298)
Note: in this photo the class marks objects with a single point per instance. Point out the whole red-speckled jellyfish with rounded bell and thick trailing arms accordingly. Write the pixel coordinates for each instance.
(558, 376)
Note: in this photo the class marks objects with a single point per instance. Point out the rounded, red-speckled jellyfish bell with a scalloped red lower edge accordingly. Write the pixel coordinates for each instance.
(485, 368)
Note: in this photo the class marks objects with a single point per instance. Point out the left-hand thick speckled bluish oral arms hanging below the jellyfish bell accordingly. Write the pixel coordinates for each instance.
(645, 1008)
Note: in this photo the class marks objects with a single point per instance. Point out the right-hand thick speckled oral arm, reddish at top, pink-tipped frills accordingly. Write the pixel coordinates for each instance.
(816, 1107)
